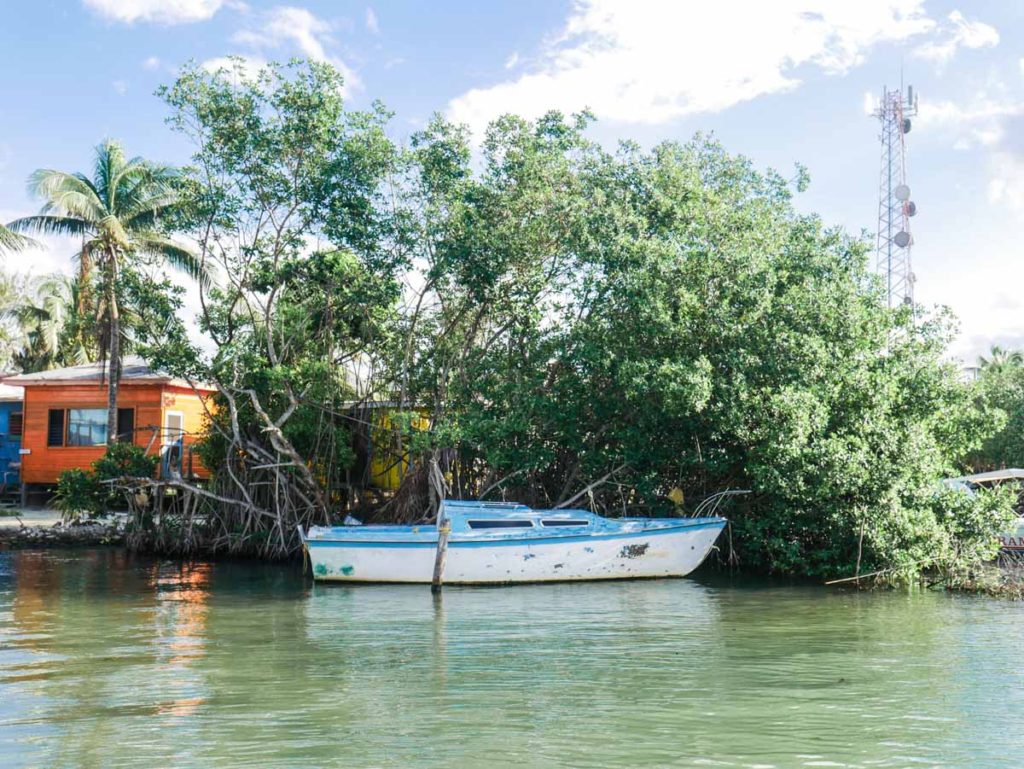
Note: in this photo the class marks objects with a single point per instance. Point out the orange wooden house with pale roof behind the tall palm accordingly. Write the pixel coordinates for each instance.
(65, 419)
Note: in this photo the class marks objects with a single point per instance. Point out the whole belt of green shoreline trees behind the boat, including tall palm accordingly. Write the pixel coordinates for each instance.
(628, 329)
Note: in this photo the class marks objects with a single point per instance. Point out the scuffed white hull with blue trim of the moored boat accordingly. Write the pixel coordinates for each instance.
(672, 552)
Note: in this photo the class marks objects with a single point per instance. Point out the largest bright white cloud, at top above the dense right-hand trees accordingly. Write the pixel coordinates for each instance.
(653, 62)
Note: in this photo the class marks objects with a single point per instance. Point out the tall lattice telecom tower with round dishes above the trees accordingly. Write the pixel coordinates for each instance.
(895, 206)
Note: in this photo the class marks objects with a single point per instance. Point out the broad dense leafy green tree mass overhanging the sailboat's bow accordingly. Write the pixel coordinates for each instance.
(669, 318)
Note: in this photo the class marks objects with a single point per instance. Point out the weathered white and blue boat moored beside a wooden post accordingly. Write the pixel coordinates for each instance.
(497, 543)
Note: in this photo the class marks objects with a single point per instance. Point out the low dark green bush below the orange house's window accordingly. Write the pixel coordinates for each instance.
(84, 494)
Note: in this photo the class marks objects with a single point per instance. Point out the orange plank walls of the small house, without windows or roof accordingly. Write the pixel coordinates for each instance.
(45, 464)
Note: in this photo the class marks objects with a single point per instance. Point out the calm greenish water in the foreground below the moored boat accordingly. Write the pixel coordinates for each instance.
(107, 661)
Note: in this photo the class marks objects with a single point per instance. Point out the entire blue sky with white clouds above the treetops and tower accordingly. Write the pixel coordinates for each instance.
(782, 82)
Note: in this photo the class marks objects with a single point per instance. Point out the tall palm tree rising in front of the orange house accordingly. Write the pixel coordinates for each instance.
(117, 215)
